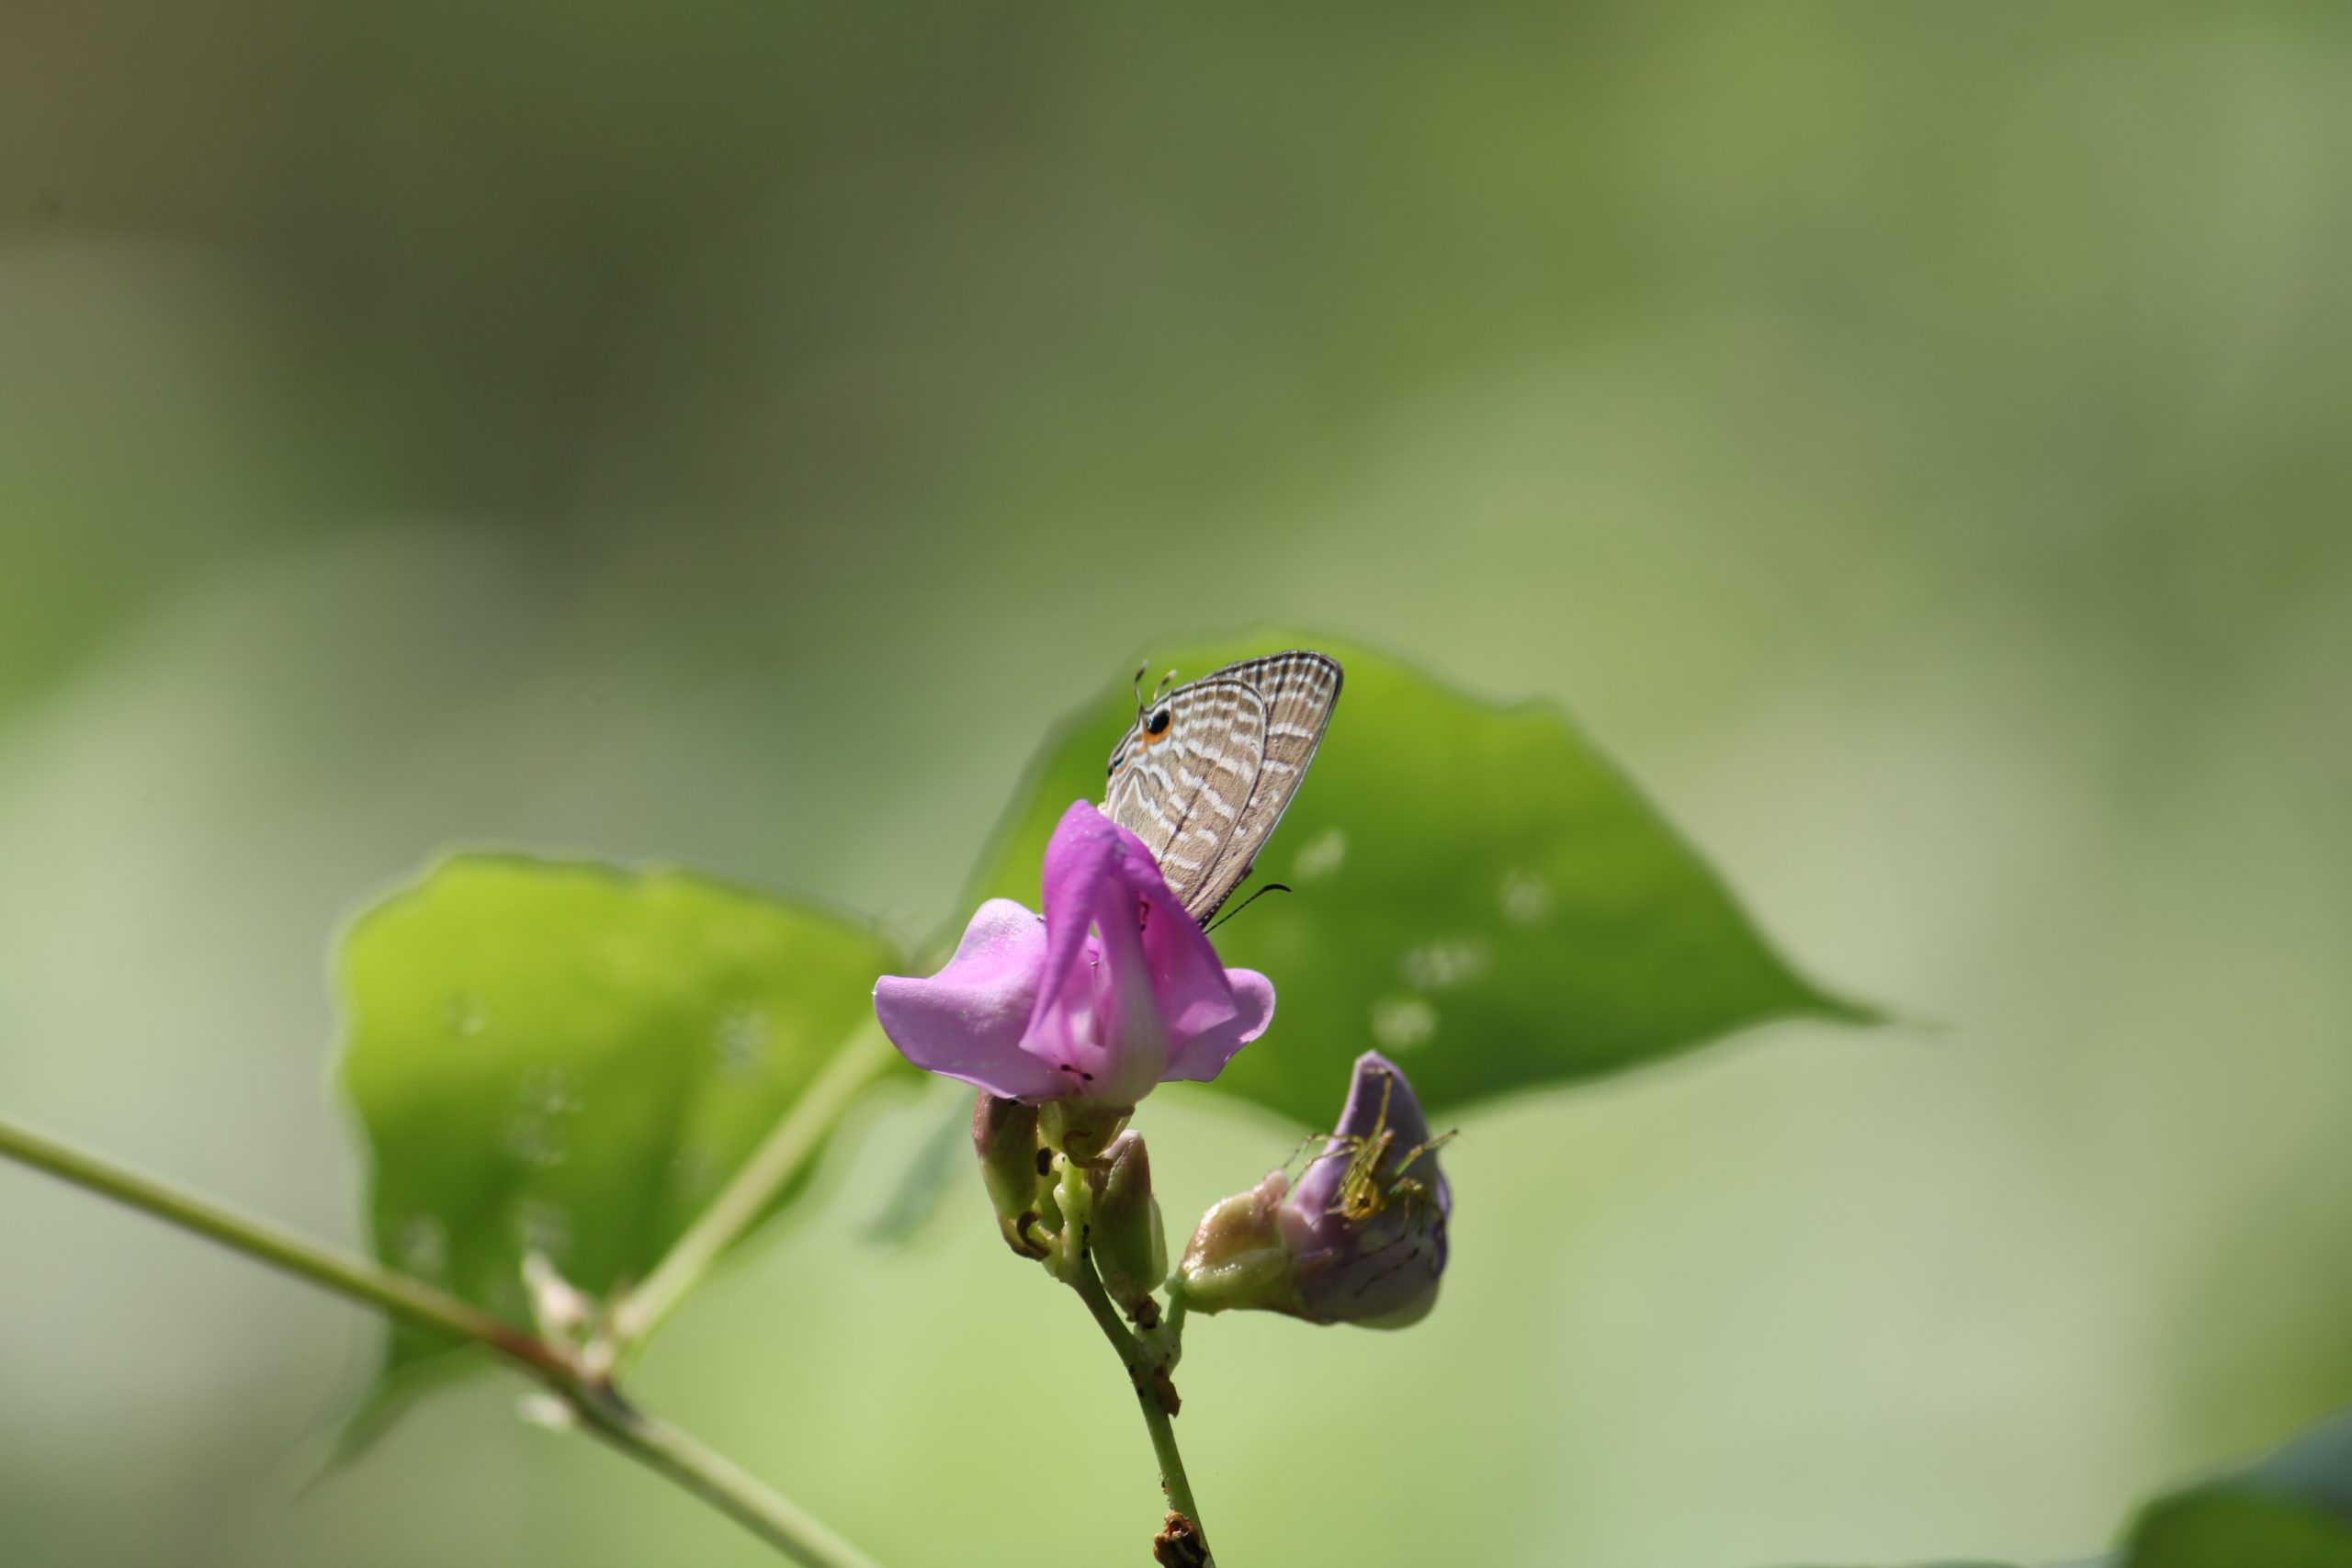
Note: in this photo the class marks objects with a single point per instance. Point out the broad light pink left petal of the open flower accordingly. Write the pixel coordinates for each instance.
(968, 1019)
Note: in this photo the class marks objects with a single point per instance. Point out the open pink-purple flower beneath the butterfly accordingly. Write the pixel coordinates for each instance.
(1111, 993)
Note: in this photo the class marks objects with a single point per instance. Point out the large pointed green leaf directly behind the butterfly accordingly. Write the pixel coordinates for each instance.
(1478, 892)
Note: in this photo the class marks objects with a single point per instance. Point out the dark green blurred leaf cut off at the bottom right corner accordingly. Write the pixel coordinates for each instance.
(2290, 1510)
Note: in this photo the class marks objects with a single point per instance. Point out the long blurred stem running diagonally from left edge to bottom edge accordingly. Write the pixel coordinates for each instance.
(599, 1405)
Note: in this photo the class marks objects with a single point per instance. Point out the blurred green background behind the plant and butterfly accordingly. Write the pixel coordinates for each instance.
(1911, 438)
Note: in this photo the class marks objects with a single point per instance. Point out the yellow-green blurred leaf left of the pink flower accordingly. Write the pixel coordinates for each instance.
(573, 1059)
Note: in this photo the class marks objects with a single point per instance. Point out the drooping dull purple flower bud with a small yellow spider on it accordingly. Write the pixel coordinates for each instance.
(1363, 1235)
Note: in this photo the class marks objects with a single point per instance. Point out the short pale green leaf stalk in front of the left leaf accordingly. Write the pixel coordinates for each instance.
(754, 1188)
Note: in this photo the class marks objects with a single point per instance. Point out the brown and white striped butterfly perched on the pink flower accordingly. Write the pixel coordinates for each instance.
(1208, 770)
